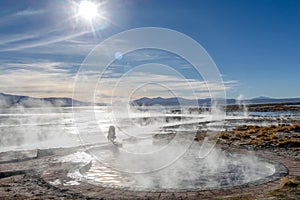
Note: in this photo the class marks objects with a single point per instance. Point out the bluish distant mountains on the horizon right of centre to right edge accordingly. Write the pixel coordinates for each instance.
(206, 102)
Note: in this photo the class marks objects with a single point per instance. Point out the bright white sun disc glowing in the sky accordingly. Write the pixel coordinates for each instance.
(87, 10)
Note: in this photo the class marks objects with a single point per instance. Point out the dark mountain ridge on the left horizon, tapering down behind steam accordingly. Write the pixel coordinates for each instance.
(8, 100)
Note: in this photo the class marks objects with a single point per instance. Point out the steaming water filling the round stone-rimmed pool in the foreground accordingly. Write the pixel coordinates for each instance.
(218, 169)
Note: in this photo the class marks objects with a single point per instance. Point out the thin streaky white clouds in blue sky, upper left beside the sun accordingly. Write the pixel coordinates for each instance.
(44, 33)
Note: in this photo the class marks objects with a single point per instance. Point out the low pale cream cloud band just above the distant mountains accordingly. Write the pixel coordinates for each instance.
(56, 78)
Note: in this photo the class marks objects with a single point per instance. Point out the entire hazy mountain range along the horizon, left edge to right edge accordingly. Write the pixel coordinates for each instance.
(8, 100)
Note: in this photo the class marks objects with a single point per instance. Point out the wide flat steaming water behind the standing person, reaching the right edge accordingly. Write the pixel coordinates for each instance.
(32, 128)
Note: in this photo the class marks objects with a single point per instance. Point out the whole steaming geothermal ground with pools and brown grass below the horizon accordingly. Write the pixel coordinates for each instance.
(172, 153)
